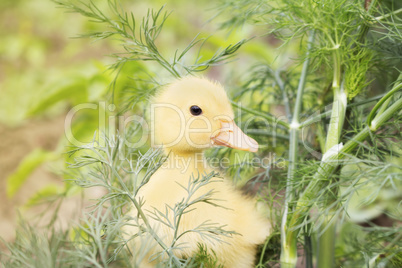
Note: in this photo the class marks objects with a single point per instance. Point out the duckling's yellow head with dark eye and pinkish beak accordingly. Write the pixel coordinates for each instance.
(193, 114)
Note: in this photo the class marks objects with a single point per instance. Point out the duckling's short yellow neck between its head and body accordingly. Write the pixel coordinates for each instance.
(187, 162)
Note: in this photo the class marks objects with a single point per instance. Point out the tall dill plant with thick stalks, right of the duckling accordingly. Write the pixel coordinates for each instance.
(344, 54)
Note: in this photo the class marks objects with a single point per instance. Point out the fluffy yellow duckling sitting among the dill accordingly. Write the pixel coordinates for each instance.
(189, 116)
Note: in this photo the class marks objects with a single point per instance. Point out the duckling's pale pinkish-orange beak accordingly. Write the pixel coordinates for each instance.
(230, 135)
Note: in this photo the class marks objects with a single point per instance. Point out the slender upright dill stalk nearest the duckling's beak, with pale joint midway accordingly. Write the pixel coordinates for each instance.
(288, 238)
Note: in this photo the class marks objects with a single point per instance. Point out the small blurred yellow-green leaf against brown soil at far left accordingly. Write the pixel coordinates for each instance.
(26, 167)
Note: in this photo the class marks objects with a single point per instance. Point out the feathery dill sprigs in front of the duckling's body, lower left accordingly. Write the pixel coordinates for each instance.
(104, 227)
